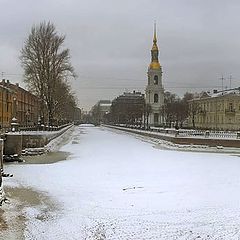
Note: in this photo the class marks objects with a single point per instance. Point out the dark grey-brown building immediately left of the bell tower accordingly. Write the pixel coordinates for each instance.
(128, 108)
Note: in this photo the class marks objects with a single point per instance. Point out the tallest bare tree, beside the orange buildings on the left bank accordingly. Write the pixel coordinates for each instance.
(46, 64)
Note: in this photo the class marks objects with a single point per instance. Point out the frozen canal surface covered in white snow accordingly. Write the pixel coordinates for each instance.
(116, 186)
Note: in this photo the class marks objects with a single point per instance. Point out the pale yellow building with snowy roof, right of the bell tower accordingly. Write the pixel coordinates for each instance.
(219, 110)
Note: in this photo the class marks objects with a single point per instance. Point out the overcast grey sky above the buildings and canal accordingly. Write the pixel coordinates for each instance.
(110, 42)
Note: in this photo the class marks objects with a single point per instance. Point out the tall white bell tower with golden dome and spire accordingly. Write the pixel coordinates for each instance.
(154, 92)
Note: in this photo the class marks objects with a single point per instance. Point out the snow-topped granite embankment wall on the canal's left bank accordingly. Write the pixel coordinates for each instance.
(17, 141)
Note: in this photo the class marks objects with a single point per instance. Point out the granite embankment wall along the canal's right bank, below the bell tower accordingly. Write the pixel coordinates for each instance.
(211, 142)
